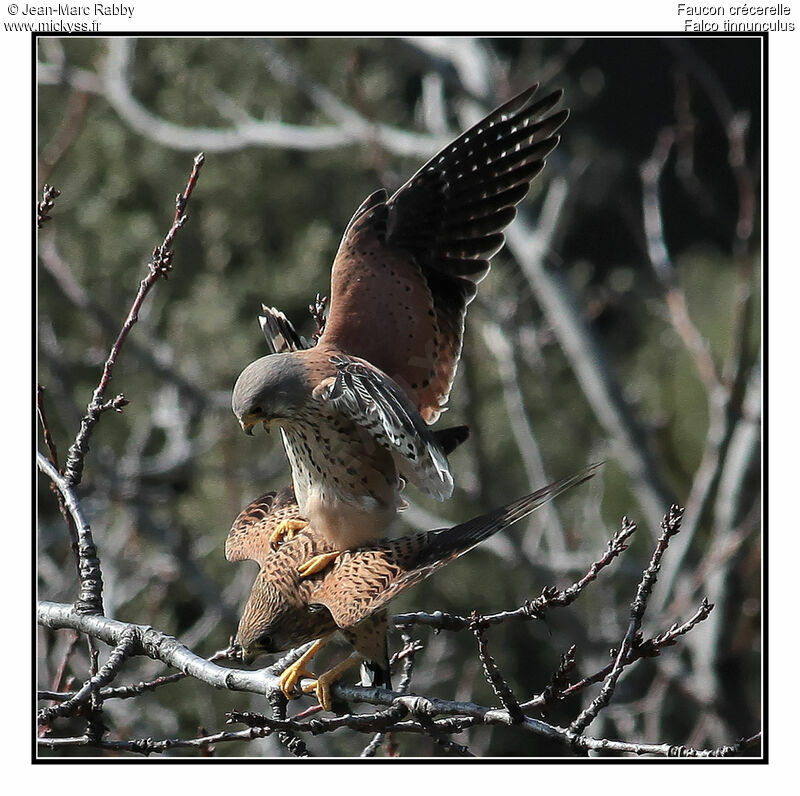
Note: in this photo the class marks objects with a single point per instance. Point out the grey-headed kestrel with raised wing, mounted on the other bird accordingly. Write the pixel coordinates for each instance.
(354, 409)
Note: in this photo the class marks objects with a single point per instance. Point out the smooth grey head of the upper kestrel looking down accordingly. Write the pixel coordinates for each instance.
(271, 388)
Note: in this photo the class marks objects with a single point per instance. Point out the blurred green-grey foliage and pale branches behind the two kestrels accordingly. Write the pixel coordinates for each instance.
(119, 123)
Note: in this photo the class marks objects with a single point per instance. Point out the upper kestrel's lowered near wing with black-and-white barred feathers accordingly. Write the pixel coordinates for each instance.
(366, 396)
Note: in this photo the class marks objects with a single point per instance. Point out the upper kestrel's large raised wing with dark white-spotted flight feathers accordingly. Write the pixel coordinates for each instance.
(409, 265)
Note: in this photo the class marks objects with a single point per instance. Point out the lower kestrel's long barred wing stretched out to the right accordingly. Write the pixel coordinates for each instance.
(362, 581)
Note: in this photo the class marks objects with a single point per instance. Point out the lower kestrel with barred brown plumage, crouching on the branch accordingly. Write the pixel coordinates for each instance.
(285, 609)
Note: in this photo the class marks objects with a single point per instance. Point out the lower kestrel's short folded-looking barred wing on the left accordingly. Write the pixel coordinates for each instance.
(249, 535)
